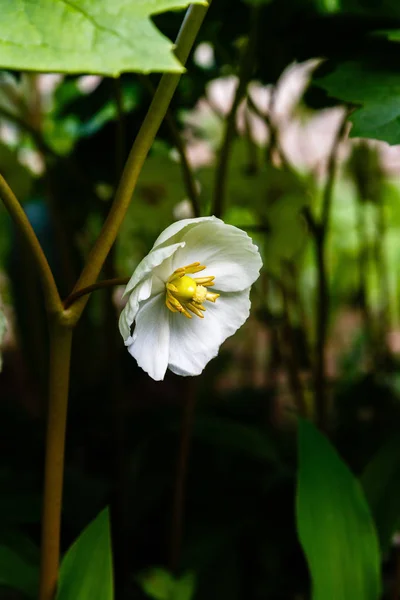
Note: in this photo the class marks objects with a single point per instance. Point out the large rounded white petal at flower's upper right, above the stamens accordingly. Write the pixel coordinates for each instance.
(228, 253)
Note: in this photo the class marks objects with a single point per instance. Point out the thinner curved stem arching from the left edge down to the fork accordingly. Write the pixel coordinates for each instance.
(52, 297)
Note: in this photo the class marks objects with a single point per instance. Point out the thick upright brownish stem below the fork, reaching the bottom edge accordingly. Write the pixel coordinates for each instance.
(60, 353)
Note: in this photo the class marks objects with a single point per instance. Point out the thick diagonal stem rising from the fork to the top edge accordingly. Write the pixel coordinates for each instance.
(156, 113)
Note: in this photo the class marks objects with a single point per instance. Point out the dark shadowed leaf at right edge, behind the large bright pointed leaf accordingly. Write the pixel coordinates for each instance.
(381, 483)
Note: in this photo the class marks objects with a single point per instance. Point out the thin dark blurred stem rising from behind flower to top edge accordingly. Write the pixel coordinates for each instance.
(245, 70)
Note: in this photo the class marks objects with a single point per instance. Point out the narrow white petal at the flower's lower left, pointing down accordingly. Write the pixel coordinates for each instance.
(150, 341)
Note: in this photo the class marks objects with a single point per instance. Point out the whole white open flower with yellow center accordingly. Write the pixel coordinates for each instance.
(179, 323)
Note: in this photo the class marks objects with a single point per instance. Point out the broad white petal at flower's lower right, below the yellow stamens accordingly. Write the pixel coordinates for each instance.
(194, 342)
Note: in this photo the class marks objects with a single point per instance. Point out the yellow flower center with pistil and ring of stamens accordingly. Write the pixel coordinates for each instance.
(184, 293)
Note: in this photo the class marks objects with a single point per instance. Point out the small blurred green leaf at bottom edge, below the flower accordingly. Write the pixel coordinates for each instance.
(159, 584)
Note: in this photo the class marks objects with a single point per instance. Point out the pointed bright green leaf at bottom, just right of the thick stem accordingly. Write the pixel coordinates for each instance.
(86, 570)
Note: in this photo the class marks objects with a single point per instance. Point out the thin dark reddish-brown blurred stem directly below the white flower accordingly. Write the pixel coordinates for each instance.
(178, 508)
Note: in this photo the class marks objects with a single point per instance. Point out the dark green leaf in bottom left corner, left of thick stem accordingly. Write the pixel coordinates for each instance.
(18, 574)
